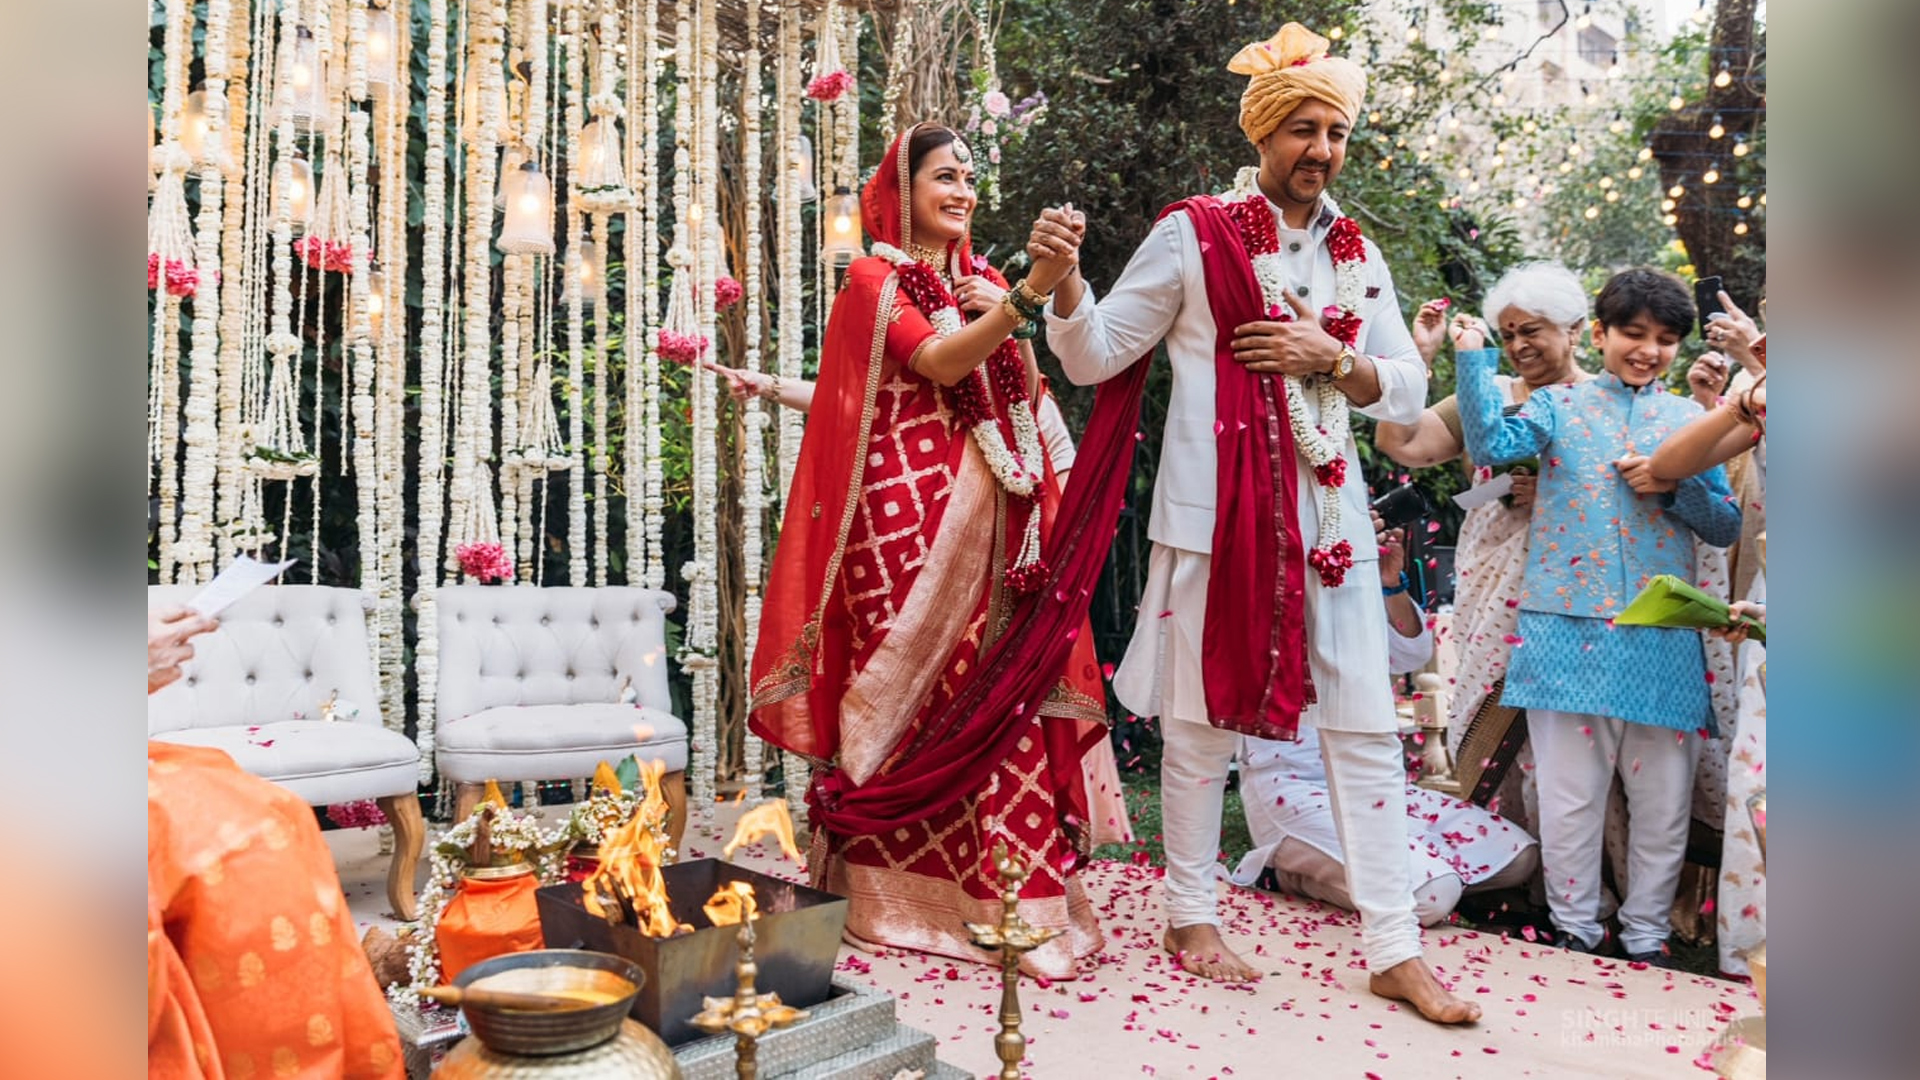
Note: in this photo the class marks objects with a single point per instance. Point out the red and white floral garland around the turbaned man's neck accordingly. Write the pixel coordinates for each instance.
(1322, 443)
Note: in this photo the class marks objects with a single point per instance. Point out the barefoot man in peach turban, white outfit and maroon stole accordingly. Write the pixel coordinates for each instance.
(1260, 476)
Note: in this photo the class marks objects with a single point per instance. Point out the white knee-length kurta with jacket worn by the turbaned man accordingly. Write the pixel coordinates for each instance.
(1163, 297)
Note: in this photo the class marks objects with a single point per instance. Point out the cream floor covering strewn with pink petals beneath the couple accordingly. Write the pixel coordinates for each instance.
(1547, 1012)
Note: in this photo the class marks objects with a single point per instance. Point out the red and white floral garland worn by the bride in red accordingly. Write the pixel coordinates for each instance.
(1019, 470)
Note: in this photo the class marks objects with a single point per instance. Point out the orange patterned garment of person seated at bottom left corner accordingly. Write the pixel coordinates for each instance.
(252, 962)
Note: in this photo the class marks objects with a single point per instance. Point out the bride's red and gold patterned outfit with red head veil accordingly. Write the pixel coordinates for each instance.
(886, 597)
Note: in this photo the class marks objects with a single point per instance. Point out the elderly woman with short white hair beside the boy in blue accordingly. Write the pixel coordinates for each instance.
(1537, 310)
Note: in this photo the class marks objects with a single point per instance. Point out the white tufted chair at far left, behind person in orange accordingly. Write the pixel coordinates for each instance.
(256, 687)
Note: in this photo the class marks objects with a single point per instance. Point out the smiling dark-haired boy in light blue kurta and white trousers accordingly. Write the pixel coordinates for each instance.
(1604, 699)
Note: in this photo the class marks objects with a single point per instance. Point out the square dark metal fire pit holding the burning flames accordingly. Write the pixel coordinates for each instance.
(800, 935)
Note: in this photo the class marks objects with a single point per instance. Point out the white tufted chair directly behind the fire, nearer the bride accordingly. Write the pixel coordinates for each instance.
(531, 687)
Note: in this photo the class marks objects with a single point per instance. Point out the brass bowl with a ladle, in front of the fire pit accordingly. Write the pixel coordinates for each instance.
(552, 971)
